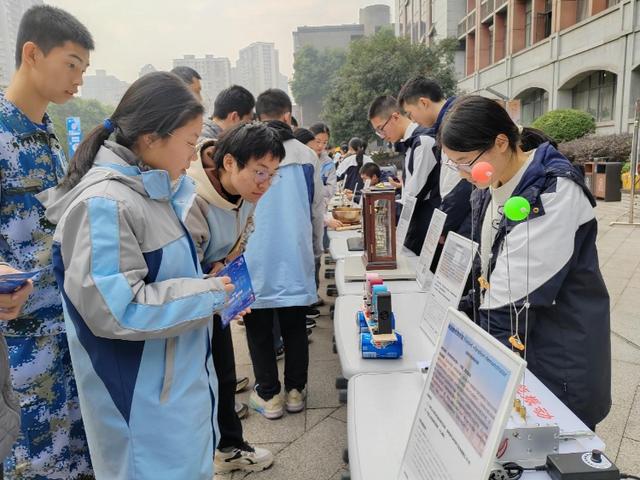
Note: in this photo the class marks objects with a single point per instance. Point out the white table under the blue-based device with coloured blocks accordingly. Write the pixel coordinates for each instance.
(408, 309)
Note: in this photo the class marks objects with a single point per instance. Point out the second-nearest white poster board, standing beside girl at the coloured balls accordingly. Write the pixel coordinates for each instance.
(448, 283)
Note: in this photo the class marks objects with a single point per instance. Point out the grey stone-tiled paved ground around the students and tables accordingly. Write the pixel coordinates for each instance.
(309, 445)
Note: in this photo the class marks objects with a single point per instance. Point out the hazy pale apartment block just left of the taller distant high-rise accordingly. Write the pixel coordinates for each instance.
(215, 73)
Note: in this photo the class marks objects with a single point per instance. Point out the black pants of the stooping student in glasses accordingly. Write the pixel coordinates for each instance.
(225, 363)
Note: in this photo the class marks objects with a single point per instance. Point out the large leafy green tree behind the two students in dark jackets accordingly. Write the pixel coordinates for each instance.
(380, 65)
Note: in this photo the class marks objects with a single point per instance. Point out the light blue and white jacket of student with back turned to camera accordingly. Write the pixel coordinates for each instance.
(280, 253)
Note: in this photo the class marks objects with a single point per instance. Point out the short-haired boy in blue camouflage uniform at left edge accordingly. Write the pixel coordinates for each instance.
(52, 54)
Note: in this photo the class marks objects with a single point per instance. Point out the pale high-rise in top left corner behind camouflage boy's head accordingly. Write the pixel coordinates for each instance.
(11, 12)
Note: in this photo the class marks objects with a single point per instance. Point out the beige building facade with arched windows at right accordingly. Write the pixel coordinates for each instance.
(552, 54)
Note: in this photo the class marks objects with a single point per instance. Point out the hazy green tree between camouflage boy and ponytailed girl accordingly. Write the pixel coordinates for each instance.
(91, 113)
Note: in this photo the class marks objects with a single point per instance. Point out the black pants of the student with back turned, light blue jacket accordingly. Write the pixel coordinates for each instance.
(259, 326)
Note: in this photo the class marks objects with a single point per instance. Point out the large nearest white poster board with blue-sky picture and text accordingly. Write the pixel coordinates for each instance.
(467, 398)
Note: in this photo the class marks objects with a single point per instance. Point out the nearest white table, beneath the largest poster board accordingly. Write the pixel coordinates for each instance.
(380, 412)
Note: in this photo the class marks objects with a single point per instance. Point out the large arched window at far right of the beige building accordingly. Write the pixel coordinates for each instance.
(596, 94)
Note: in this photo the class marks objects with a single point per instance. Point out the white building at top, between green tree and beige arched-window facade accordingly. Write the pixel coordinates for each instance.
(430, 21)
